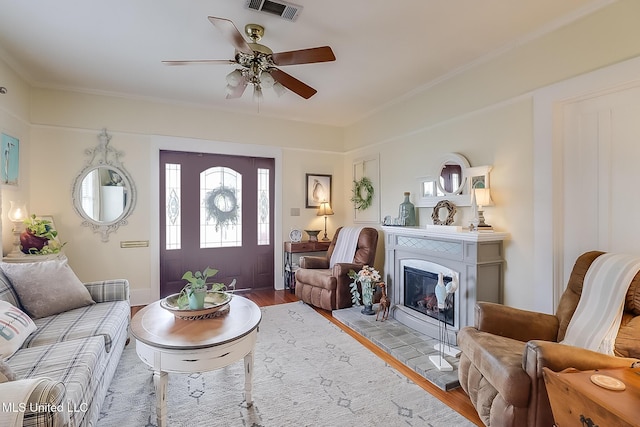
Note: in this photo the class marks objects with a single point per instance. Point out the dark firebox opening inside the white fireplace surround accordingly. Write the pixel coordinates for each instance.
(419, 295)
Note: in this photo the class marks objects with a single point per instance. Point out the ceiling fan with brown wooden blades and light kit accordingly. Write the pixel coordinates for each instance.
(258, 64)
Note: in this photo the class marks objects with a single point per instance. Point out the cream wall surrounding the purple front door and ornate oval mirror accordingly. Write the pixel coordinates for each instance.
(64, 124)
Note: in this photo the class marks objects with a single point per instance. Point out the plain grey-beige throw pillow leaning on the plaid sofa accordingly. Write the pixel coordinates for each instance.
(47, 288)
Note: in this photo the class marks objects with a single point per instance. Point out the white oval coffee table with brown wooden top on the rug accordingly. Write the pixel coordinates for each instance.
(170, 344)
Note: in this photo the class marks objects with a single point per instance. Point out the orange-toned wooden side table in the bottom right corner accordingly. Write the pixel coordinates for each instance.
(577, 401)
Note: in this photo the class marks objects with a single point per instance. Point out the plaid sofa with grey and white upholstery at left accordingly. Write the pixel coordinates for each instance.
(77, 351)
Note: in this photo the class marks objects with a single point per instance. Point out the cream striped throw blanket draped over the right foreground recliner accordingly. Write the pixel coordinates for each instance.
(597, 318)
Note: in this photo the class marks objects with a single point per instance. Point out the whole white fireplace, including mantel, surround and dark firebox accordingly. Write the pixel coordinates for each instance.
(414, 258)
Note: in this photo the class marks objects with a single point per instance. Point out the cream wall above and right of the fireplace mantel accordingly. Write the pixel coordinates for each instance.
(486, 114)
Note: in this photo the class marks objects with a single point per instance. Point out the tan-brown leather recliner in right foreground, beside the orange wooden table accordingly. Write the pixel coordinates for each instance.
(503, 355)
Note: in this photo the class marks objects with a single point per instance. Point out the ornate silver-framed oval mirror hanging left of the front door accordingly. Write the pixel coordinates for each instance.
(103, 193)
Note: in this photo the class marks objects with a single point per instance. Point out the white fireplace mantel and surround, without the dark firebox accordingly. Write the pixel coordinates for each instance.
(477, 257)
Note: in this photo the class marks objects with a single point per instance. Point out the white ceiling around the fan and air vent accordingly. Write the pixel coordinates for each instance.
(384, 49)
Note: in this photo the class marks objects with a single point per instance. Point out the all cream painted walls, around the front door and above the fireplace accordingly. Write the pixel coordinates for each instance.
(484, 112)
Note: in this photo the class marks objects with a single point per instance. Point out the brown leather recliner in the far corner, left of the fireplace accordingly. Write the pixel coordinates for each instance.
(320, 286)
